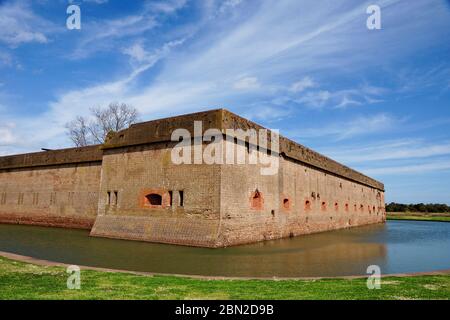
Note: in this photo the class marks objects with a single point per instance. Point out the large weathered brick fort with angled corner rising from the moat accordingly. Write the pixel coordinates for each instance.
(129, 188)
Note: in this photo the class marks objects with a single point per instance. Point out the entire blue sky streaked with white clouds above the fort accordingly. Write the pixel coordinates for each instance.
(375, 100)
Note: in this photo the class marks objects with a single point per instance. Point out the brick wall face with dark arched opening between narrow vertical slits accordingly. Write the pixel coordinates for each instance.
(133, 172)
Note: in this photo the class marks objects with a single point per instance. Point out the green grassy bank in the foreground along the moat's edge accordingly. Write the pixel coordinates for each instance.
(19, 280)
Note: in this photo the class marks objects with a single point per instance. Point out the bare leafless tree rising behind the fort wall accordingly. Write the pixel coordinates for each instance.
(115, 117)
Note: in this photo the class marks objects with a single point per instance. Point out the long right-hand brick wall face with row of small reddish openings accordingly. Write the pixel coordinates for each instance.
(318, 201)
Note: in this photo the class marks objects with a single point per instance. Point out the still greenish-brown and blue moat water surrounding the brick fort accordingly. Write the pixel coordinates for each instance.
(397, 247)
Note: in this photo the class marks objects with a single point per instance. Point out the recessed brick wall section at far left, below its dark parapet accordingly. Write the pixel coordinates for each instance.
(59, 195)
